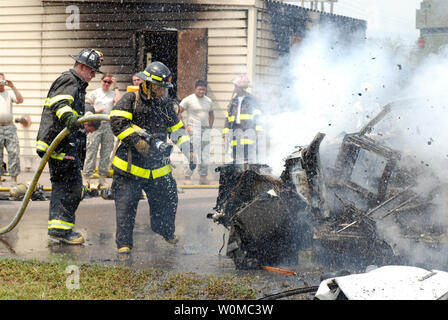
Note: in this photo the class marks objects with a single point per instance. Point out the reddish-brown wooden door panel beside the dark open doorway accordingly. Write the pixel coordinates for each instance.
(191, 60)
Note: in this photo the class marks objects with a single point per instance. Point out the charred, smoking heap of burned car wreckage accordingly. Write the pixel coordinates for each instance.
(332, 215)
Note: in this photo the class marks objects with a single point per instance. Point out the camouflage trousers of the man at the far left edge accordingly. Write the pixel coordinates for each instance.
(10, 141)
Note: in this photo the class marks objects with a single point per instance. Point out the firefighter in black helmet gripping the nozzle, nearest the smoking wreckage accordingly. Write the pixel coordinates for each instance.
(141, 162)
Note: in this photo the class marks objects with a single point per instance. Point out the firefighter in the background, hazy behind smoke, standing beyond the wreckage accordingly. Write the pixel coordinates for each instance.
(242, 124)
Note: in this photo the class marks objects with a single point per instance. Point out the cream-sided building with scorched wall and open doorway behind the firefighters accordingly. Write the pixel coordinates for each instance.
(209, 39)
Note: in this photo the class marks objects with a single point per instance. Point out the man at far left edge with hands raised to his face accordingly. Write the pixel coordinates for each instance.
(8, 131)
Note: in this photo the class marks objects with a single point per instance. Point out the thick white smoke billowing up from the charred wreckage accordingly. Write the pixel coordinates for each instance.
(336, 89)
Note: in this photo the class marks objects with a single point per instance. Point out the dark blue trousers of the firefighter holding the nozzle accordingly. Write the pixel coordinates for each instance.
(162, 199)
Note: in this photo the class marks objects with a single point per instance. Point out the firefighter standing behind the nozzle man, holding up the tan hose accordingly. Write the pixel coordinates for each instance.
(65, 103)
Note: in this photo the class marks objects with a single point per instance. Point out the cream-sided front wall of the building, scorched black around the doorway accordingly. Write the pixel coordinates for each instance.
(37, 38)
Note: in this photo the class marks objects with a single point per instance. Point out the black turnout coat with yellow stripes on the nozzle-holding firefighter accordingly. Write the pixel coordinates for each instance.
(157, 117)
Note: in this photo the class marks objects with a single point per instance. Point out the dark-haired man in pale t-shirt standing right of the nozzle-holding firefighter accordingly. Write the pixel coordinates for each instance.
(199, 117)
